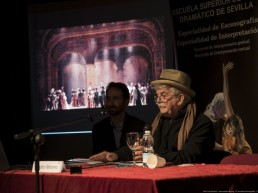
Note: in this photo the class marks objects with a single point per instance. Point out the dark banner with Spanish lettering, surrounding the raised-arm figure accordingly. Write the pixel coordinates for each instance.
(209, 33)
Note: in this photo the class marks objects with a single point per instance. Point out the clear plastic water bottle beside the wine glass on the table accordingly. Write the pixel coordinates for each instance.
(147, 143)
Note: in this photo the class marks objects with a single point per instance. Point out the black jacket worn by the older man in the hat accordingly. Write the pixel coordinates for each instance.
(198, 146)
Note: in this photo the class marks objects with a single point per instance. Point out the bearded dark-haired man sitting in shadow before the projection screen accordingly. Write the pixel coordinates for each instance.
(109, 134)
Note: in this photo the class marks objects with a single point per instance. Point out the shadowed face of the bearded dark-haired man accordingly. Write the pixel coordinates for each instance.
(115, 102)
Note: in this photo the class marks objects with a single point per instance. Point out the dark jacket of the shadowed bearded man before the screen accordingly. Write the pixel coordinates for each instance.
(103, 138)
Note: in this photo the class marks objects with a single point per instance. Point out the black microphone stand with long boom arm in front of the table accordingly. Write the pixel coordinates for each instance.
(37, 139)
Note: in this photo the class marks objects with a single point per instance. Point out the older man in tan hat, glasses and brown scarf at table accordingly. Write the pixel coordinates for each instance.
(180, 134)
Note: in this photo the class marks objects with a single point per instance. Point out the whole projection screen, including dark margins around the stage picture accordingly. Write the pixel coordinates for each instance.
(76, 50)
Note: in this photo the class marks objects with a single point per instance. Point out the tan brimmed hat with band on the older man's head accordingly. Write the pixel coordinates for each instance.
(177, 79)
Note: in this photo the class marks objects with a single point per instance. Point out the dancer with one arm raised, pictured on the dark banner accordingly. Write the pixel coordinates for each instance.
(231, 138)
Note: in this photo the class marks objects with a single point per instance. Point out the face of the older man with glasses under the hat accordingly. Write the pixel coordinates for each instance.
(167, 101)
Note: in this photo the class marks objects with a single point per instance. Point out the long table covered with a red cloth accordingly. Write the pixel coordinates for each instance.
(135, 179)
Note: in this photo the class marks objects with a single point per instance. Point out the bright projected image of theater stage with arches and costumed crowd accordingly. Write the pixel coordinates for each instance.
(75, 64)
